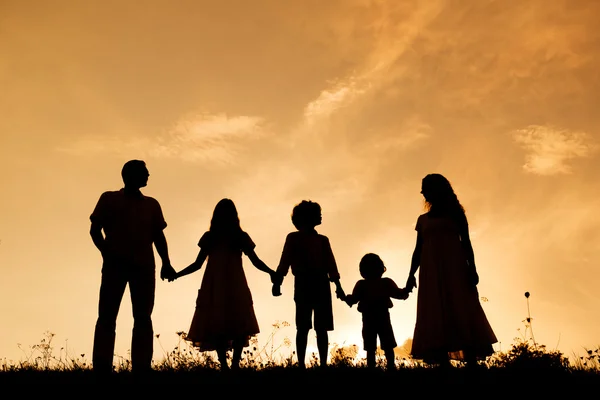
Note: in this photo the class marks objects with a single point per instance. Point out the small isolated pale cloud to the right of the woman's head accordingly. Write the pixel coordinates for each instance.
(549, 149)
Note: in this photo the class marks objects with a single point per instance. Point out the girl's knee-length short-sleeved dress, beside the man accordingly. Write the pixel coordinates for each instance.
(224, 307)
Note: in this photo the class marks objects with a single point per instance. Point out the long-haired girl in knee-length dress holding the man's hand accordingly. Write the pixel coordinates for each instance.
(224, 317)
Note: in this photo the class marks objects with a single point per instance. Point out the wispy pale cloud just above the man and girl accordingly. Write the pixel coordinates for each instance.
(194, 138)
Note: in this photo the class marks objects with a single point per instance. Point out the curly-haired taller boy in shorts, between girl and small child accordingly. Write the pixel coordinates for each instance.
(313, 265)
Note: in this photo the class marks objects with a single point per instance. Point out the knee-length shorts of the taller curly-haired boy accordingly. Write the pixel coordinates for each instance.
(313, 302)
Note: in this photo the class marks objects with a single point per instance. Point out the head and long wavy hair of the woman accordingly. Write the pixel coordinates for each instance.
(440, 198)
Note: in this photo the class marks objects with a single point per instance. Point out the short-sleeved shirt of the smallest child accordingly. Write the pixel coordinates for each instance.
(374, 295)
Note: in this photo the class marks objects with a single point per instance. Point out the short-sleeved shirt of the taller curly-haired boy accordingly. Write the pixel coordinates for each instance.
(308, 253)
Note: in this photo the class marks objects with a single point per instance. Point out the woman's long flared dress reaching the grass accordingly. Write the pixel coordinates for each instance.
(450, 318)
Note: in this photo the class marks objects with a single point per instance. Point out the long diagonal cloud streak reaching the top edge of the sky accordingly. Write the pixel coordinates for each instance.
(390, 38)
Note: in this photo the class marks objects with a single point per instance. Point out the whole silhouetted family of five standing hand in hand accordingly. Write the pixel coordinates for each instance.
(126, 226)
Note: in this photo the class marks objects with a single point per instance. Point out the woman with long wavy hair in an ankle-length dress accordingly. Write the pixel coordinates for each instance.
(450, 322)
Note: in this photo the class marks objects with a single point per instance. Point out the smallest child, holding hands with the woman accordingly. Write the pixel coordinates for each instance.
(373, 295)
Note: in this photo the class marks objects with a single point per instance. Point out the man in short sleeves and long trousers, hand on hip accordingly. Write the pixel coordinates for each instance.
(132, 223)
